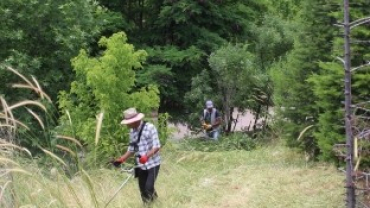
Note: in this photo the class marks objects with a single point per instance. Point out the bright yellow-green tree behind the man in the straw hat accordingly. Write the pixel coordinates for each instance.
(106, 84)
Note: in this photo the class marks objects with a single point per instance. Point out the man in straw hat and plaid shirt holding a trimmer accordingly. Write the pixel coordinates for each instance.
(145, 146)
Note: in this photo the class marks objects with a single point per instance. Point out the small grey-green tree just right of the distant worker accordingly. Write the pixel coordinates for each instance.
(235, 74)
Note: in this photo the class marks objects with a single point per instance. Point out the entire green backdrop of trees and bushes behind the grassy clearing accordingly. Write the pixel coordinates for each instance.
(243, 54)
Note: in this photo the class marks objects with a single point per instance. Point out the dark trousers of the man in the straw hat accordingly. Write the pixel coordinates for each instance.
(146, 180)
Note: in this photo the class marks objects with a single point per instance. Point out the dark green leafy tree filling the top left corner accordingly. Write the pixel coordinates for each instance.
(40, 37)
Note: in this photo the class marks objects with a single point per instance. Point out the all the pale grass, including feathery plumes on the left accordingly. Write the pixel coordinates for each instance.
(269, 176)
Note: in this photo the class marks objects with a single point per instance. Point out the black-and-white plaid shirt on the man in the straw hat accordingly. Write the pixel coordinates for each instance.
(148, 140)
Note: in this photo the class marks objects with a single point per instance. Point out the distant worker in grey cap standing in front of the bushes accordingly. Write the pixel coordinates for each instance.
(211, 121)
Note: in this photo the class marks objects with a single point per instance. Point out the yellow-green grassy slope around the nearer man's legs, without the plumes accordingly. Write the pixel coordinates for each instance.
(272, 176)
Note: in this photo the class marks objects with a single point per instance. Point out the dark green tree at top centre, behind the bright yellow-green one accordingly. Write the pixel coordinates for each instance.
(179, 35)
